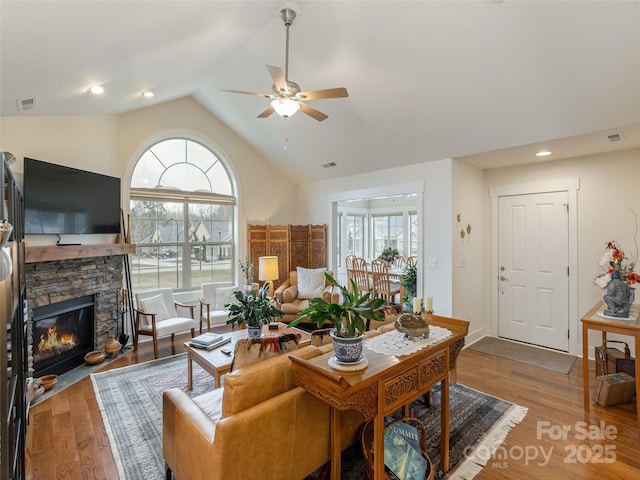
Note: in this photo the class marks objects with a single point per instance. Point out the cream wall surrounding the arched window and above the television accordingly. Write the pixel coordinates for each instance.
(112, 144)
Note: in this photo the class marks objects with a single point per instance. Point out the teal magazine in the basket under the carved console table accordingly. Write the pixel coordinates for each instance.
(404, 461)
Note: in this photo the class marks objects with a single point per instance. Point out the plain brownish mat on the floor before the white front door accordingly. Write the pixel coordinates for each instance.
(539, 357)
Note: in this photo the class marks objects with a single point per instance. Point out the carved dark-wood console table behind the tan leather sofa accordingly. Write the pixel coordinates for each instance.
(388, 384)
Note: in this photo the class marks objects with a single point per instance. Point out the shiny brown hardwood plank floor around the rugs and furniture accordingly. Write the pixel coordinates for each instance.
(66, 437)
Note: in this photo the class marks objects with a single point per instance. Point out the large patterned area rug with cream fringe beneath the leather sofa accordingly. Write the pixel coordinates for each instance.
(130, 401)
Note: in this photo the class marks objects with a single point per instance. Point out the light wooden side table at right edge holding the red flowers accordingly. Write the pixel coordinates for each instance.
(594, 320)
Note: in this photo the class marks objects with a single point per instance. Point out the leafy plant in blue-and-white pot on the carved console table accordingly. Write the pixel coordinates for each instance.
(348, 319)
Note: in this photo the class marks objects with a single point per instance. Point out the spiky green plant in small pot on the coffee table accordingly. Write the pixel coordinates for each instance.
(255, 310)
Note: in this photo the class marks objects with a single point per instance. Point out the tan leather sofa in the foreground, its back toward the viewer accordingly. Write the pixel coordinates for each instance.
(259, 425)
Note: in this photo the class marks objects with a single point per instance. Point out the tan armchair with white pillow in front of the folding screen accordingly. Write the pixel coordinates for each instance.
(303, 284)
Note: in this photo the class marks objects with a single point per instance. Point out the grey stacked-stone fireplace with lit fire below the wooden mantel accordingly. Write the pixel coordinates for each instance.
(90, 280)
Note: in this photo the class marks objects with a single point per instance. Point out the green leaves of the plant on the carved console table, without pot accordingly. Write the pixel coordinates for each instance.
(348, 317)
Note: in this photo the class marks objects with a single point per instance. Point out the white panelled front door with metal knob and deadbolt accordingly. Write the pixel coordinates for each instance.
(533, 246)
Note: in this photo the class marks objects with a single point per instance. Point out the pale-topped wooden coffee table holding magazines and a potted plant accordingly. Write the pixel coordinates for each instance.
(217, 363)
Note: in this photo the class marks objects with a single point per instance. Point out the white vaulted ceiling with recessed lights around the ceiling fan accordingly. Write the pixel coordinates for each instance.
(427, 80)
